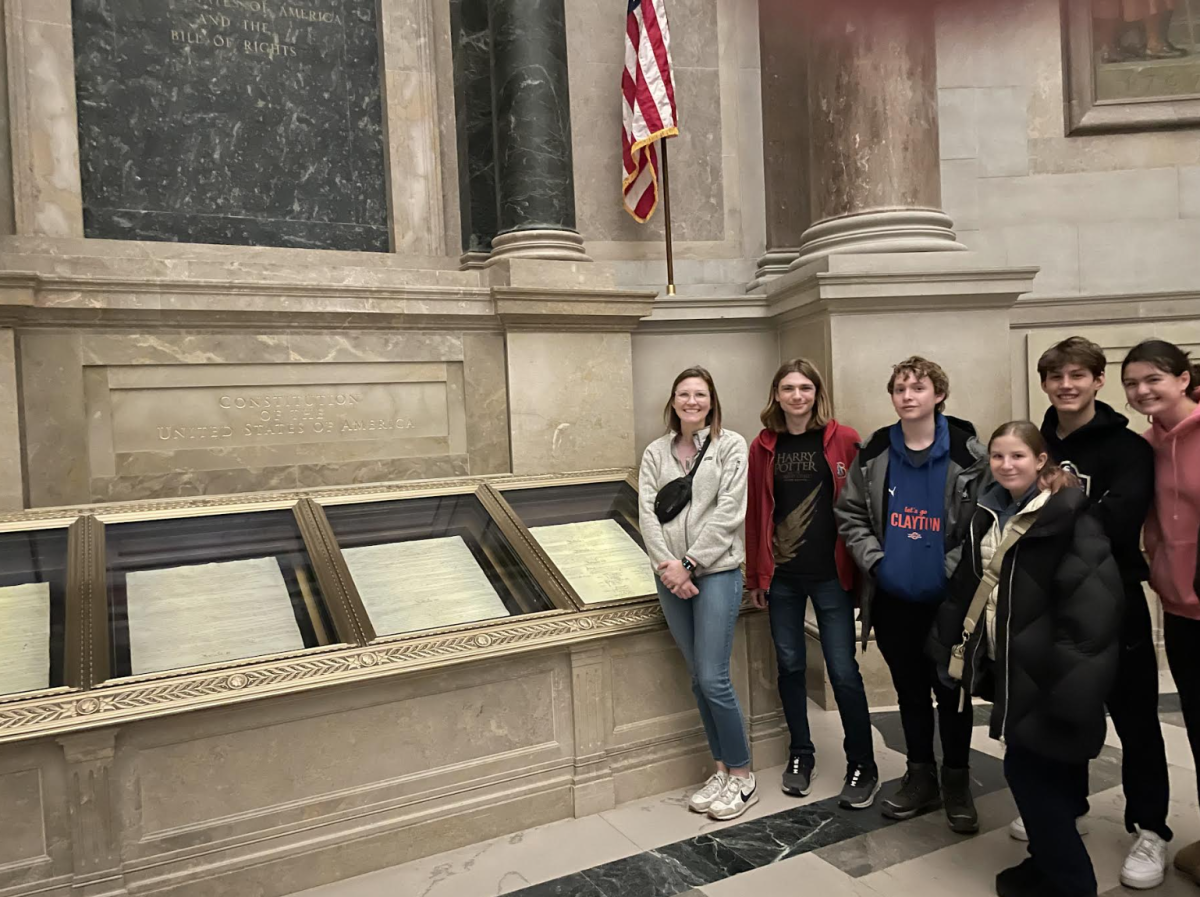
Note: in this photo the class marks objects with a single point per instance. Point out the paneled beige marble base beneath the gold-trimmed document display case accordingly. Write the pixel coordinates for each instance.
(273, 797)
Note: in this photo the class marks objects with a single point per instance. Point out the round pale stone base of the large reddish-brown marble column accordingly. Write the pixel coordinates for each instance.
(890, 231)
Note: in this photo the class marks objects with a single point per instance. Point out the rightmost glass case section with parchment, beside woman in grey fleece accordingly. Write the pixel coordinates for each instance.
(590, 533)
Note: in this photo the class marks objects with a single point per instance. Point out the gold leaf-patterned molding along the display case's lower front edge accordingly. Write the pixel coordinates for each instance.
(128, 701)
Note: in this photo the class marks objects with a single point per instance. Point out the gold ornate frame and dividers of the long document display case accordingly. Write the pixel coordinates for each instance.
(93, 699)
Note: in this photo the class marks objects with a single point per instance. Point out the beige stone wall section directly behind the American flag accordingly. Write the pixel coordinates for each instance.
(717, 166)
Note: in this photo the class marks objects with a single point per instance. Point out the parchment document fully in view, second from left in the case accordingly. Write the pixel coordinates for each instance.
(209, 613)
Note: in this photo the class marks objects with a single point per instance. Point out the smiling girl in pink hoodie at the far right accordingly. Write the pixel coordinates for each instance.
(1163, 383)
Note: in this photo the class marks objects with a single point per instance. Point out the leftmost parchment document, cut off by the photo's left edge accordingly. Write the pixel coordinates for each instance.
(25, 637)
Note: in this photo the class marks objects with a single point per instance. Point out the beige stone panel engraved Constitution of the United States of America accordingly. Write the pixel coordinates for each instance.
(206, 418)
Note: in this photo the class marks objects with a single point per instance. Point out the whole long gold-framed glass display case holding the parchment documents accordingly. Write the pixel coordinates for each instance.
(129, 611)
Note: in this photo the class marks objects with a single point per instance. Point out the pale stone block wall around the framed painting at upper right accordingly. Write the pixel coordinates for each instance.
(1101, 214)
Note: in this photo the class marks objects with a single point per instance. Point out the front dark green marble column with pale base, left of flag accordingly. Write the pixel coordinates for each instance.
(535, 178)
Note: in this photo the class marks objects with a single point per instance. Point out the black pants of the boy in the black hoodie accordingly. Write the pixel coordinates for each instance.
(1133, 707)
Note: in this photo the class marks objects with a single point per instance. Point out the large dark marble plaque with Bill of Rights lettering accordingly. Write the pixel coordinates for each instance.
(232, 122)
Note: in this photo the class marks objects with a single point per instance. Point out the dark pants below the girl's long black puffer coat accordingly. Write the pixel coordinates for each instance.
(1051, 796)
